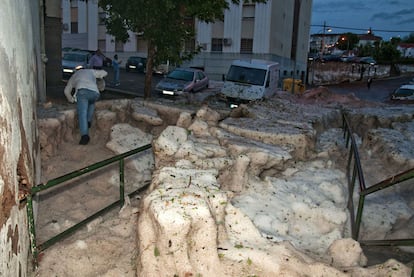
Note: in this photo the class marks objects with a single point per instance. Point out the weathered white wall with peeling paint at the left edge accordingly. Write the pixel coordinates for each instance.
(19, 152)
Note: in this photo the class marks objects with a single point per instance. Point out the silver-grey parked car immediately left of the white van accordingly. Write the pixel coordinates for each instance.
(183, 80)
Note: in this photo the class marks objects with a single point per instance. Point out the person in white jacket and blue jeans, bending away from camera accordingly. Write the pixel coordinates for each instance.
(86, 84)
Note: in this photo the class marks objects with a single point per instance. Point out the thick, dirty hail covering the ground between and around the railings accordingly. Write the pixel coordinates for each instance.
(260, 190)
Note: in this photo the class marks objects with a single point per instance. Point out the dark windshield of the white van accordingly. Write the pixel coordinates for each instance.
(253, 76)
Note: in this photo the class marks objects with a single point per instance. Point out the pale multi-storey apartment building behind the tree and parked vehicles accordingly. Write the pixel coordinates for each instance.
(277, 30)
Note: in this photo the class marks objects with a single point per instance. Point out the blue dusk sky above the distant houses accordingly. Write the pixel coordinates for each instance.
(386, 18)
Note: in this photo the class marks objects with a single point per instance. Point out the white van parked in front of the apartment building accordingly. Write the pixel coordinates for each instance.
(251, 80)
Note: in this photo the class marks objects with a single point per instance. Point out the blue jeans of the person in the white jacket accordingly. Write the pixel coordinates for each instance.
(86, 99)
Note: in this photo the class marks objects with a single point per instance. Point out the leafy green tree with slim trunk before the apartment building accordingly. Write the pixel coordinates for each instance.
(164, 24)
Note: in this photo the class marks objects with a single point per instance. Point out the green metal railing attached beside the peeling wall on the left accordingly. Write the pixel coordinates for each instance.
(34, 247)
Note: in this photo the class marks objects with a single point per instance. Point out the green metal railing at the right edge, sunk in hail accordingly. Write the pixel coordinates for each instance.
(354, 173)
